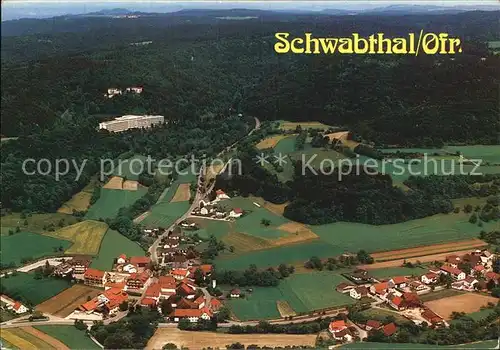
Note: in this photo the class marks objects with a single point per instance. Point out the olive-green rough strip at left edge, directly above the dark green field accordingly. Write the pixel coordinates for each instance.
(36, 222)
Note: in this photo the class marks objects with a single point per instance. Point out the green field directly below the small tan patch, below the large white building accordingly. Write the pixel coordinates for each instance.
(111, 201)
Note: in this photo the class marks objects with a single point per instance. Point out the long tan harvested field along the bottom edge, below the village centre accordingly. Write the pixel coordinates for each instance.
(200, 340)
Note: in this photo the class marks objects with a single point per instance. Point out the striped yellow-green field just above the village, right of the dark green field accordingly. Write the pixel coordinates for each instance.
(86, 236)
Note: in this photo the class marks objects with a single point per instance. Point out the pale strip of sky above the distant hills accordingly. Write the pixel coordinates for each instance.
(15, 9)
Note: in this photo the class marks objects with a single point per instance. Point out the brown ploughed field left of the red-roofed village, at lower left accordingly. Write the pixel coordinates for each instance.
(64, 303)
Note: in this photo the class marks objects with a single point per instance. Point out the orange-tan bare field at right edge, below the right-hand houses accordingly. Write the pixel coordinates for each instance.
(468, 302)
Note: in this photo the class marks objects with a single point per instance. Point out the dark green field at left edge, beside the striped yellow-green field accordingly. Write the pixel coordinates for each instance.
(28, 245)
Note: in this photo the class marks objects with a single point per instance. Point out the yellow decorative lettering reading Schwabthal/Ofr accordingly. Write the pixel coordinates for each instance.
(413, 44)
